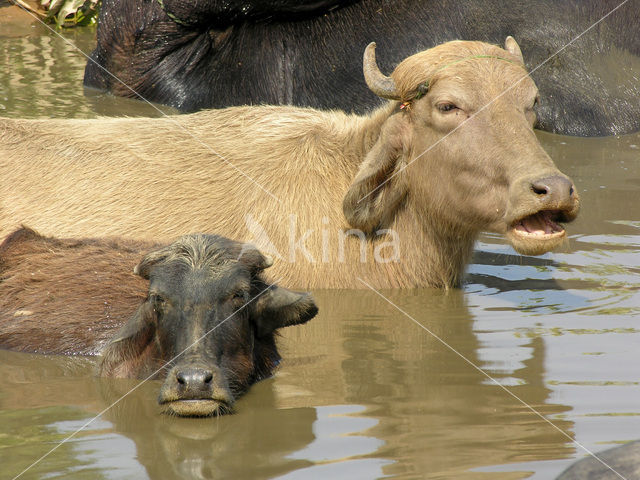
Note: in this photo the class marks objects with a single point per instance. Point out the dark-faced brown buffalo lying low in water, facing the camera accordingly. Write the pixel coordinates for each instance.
(205, 323)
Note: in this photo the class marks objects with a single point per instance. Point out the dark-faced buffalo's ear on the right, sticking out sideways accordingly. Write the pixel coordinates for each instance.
(279, 307)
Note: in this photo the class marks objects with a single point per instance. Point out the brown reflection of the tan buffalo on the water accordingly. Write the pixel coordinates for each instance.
(430, 403)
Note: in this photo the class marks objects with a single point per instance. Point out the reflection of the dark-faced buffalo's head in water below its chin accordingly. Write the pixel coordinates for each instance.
(255, 443)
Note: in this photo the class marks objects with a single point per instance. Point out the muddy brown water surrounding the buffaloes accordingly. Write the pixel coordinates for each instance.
(497, 380)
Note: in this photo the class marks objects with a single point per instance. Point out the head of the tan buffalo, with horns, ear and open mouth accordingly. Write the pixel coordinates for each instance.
(462, 151)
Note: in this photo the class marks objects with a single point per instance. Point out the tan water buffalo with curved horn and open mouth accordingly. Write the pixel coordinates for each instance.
(395, 198)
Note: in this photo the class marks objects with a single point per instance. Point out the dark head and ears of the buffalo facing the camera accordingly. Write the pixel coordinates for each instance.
(207, 324)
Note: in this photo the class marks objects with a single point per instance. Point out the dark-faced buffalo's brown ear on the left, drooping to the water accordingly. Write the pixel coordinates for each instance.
(124, 355)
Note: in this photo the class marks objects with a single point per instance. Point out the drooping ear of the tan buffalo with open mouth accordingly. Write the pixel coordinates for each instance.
(379, 186)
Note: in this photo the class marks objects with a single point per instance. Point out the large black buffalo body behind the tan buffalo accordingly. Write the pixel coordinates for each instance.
(213, 54)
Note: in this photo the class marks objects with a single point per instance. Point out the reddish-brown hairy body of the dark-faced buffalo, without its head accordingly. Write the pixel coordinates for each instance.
(66, 296)
